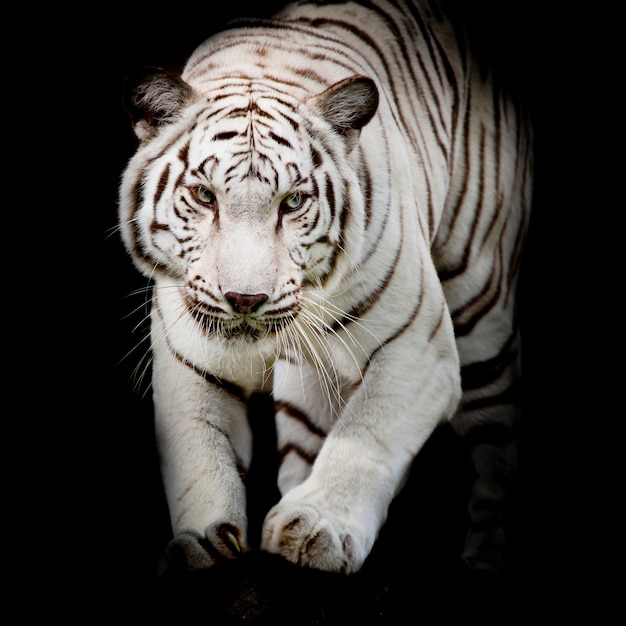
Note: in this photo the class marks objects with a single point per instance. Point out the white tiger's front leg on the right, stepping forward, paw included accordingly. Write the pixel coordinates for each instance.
(330, 521)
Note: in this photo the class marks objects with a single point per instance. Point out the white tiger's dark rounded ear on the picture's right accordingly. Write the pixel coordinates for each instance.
(348, 105)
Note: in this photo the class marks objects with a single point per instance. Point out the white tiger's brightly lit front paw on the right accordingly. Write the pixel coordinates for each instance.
(307, 536)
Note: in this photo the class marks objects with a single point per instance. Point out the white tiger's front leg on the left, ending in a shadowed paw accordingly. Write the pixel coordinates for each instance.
(204, 445)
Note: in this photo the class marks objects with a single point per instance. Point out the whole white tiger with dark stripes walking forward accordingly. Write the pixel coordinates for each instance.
(331, 205)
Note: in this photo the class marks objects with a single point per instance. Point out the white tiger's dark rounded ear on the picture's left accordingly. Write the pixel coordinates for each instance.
(152, 98)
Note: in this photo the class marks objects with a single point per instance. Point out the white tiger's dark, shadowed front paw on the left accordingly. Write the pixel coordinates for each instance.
(189, 551)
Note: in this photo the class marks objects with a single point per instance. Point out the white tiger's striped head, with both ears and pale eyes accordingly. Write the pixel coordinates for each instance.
(246, 197)
